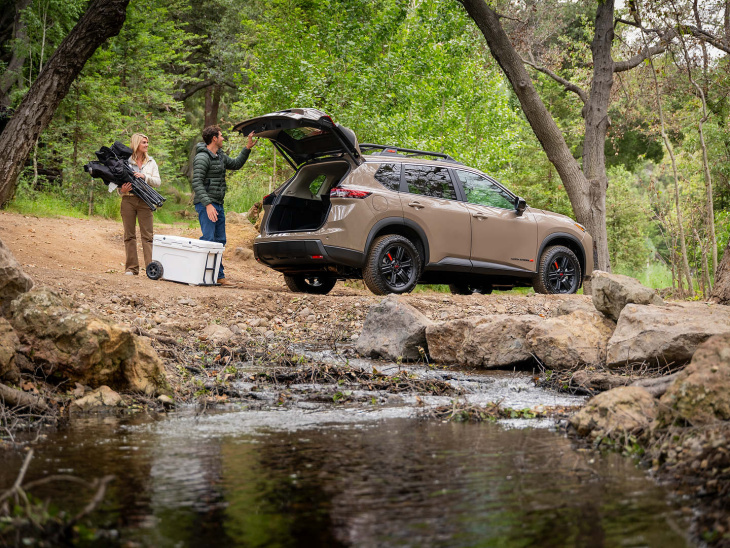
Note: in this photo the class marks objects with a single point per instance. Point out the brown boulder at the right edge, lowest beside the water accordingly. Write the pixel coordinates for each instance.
(701, 392)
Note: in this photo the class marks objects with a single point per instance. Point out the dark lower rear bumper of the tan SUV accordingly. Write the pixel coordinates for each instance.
(302, 255)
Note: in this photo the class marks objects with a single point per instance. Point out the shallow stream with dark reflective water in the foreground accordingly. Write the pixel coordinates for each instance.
(313, 474)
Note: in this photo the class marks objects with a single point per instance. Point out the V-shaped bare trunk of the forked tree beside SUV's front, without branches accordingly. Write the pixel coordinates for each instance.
(588, 197)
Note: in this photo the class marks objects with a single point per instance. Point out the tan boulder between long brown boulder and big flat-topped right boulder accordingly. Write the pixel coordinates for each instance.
(578, 338)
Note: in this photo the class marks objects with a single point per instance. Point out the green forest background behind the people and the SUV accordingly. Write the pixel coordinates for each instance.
(416, 74)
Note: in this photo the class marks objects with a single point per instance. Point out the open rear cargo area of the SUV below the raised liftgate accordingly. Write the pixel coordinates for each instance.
(304, 203)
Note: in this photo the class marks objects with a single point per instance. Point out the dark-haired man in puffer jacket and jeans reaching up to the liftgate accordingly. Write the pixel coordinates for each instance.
(209, 185)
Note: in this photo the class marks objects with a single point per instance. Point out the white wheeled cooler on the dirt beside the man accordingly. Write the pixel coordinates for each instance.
(186, 260)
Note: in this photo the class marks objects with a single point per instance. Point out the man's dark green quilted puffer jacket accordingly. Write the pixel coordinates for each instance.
(209, 173)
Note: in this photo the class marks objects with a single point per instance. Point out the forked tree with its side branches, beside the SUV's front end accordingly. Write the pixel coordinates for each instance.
(585, 184)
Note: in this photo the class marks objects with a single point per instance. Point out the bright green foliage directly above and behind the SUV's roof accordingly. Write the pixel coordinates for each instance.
(408, 76)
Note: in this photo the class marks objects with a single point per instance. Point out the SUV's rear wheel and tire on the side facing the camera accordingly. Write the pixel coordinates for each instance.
(393, 265)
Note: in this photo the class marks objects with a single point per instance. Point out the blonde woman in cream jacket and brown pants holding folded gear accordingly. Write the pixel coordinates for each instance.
(134, 208)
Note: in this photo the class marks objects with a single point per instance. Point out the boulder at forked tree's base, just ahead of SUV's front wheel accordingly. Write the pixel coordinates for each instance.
(612, 292)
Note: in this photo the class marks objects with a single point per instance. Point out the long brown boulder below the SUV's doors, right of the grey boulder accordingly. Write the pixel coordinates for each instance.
(487, 341)
